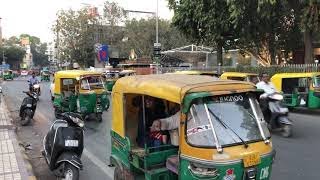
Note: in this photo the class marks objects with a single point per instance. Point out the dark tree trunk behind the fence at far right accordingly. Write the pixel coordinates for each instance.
(308, 47)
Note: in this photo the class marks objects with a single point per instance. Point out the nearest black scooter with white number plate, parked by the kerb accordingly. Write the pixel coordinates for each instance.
(63, 146)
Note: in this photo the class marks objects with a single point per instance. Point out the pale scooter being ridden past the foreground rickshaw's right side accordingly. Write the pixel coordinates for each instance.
(276, 114)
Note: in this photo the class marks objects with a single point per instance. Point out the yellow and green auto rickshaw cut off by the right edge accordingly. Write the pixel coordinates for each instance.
(299, 89)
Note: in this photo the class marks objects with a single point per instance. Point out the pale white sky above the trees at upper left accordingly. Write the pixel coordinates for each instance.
(36, 17)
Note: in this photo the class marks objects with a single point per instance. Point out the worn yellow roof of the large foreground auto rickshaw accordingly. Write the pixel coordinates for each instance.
(173, 87)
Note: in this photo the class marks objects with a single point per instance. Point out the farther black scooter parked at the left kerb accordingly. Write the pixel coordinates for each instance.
(28, 107)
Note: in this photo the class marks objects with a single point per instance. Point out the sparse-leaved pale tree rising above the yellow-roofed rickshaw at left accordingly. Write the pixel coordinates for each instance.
(75, 36)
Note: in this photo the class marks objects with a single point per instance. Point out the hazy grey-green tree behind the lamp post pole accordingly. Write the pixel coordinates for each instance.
(141, 35)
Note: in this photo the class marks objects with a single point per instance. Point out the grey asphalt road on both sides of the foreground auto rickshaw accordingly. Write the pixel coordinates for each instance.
(297, 157)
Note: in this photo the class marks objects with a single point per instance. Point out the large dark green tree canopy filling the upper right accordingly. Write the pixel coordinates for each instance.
(262, 28)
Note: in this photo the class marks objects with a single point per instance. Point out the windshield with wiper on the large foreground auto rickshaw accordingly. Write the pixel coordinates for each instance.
(235, 119)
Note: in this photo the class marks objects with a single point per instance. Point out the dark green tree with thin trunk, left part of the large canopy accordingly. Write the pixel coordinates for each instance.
(206, 22)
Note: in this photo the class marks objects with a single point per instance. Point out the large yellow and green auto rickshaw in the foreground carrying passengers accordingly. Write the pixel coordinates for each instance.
(211, 142)
